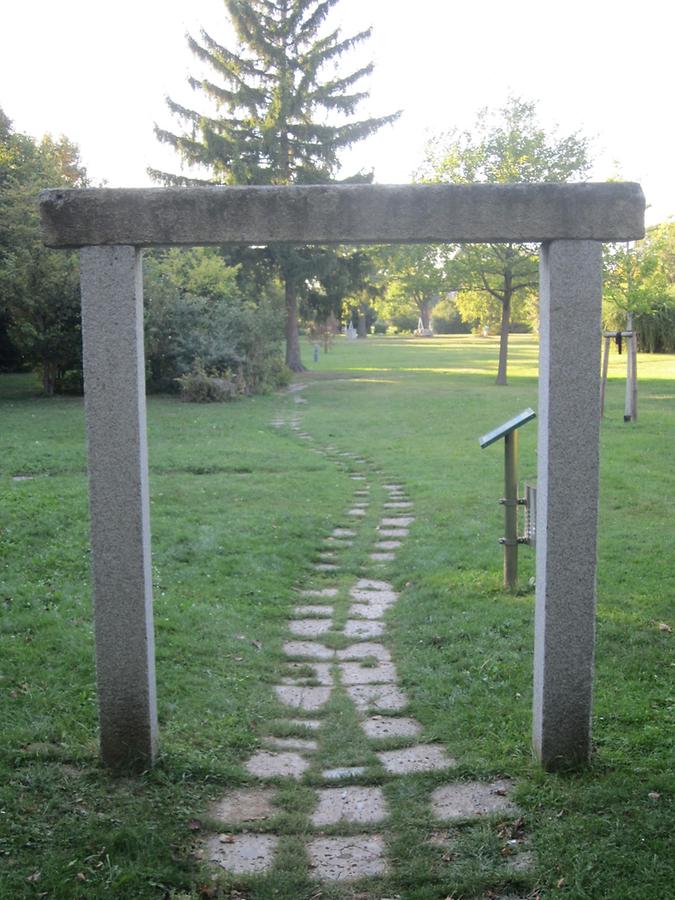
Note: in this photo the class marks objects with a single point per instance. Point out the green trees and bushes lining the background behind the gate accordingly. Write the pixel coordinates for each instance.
(277, 108)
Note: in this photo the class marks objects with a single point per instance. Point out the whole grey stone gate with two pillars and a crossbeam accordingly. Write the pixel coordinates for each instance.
(570, 222)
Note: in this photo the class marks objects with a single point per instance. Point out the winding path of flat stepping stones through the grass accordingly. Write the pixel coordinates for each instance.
(361, 668)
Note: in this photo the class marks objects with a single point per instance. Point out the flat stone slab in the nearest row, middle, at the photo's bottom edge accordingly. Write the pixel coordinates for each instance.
(347, 858)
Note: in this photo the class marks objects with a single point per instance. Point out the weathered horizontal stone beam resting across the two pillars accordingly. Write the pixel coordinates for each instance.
(342, 214)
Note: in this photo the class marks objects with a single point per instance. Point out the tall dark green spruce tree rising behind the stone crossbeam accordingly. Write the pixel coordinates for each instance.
(282, 115)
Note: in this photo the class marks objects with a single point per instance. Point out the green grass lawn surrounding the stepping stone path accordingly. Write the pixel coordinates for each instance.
(239, 510)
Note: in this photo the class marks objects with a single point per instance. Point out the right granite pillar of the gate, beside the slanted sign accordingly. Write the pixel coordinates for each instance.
(567, 500)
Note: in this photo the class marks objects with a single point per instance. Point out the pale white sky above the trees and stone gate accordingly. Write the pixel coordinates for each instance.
(99, 72)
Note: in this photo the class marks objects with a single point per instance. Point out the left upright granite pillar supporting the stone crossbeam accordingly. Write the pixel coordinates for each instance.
(114, 382)
